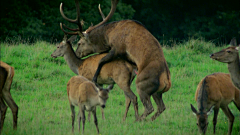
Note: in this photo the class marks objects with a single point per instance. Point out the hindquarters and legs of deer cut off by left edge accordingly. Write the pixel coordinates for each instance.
(6, 78)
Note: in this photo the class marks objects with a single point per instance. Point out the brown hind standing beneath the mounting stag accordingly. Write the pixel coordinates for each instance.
(118, 71)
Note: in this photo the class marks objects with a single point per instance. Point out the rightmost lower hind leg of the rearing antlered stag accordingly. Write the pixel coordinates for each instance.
(161, 107)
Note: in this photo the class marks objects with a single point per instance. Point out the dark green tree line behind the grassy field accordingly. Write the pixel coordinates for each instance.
(167, 20)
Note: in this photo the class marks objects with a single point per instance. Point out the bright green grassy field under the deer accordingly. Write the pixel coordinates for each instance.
(39, 89)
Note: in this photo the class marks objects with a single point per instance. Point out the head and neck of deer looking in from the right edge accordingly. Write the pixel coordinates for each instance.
(230, 55)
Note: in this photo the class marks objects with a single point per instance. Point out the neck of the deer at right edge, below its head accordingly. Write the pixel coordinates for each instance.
(234, 69)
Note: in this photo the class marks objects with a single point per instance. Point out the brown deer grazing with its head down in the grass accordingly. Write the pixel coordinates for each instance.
(213, 92)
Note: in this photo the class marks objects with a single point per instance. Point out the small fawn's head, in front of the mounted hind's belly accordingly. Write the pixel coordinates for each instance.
(103, 95)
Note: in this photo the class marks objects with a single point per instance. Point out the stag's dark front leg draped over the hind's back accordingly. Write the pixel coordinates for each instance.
(109, 57)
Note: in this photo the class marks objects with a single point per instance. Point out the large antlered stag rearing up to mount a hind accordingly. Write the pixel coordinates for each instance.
(131, 41)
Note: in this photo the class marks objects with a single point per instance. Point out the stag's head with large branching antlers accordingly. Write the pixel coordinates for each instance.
(85, 46)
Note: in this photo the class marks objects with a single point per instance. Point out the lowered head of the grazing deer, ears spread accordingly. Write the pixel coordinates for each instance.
(202, 119)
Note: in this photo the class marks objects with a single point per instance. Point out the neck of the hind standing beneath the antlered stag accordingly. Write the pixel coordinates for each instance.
(72, 60)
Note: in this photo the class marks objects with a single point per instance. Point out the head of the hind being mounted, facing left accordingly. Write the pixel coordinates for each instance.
(63, 47)
